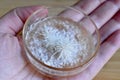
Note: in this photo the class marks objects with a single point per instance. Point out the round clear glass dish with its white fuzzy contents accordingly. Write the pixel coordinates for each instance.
(46, 54)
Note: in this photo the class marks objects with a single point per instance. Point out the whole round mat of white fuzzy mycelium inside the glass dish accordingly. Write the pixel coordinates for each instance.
(57, 42)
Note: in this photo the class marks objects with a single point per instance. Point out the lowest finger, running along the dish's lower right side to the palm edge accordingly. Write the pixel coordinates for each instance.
(107, 49)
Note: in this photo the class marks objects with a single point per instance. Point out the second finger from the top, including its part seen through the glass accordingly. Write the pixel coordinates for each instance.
(101, 15)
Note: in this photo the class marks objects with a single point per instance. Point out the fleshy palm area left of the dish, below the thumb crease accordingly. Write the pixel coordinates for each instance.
(13, 62)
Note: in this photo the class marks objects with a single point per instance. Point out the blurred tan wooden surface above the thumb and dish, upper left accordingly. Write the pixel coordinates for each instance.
(6, 5)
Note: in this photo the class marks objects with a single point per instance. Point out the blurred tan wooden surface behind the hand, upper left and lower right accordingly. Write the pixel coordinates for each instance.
(111, 71)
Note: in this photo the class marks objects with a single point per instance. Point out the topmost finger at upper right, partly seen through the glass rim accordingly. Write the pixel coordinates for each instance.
(77, 6)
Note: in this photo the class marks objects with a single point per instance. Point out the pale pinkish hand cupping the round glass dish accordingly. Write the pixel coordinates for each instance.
(13, 63)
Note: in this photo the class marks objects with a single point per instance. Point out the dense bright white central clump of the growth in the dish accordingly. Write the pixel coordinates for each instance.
(63, 43)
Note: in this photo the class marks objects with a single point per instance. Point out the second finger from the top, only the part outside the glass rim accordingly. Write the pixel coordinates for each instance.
(105, 12)
